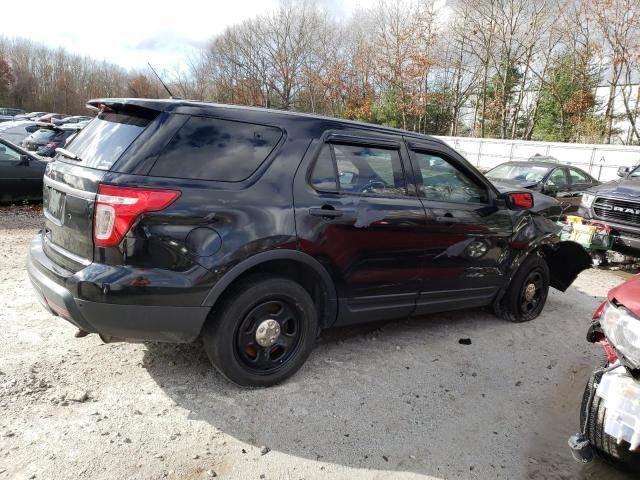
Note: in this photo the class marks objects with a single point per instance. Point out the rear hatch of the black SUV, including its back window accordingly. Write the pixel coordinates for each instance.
(71, 183)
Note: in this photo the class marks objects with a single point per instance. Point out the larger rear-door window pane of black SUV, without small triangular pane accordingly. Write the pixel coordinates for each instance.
(369, 170)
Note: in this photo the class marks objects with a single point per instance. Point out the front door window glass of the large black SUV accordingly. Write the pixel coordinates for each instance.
(445, 183)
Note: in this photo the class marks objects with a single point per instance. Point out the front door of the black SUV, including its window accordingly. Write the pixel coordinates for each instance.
(466, 235)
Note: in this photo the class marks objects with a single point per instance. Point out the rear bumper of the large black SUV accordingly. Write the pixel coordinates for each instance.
(111, 320)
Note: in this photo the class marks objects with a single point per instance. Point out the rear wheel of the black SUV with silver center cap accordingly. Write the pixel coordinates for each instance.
(262, 332)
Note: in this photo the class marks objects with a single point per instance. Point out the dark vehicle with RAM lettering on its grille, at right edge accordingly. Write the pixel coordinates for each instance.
(617, 204)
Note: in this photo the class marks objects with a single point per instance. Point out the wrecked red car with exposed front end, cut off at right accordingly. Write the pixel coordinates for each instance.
(610, 413)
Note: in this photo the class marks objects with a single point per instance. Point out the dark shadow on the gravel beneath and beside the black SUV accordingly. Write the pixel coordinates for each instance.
(403, 396)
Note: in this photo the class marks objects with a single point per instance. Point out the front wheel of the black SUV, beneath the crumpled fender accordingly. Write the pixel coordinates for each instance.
(527, 293)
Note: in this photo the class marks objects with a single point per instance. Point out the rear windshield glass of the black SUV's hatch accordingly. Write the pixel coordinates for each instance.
(102, 141)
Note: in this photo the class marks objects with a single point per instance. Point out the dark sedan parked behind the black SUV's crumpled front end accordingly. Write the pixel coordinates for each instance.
(564, 182)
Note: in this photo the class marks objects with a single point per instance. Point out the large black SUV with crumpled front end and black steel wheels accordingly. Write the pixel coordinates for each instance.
(254, 229)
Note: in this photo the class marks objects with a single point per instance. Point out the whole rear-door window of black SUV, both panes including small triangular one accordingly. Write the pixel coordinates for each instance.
(358, 169)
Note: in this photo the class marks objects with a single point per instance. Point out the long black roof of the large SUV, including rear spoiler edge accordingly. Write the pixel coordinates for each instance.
(173, 105)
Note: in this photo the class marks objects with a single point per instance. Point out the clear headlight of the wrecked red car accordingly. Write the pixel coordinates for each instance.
(622, 329)
